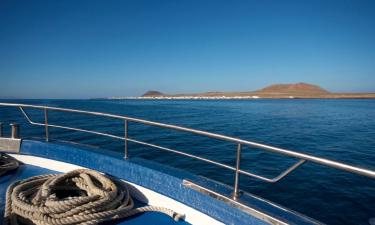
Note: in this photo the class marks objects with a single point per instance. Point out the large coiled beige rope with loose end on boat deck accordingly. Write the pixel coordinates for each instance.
(77, 197)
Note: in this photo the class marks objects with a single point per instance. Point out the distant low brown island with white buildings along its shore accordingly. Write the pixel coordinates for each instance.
(275, 91)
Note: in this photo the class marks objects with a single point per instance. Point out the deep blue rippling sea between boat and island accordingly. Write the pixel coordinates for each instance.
(342, 130)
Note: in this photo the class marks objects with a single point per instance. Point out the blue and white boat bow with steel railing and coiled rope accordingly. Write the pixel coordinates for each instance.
(166, 195)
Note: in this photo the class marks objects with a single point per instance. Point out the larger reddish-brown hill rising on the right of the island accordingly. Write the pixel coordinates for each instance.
(298, 88)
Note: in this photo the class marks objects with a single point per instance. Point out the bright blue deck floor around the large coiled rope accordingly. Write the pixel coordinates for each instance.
(26, 171)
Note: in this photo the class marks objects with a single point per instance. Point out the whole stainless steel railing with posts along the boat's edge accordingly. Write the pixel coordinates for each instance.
(237, 168)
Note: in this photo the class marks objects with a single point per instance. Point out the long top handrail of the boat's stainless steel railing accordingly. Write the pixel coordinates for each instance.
(318, 160)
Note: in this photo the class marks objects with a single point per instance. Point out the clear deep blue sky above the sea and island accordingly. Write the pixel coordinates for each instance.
(81, 49)
